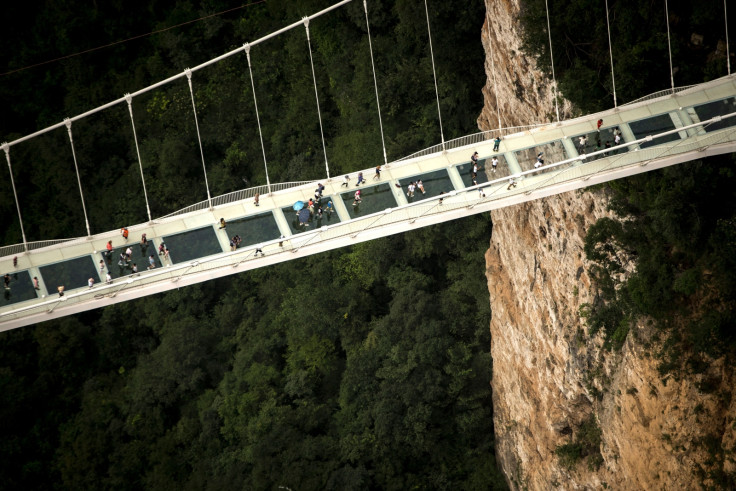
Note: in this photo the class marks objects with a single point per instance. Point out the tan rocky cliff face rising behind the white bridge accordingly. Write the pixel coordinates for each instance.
(551, 382)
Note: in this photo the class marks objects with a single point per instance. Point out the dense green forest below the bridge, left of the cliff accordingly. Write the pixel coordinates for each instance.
(349, 370)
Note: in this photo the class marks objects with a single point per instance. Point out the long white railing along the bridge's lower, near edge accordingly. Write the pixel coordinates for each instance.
(467, 198)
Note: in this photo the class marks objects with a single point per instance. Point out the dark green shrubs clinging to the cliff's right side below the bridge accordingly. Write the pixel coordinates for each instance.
(683, 242)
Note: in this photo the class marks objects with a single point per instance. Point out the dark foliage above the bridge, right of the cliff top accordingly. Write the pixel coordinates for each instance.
(638, 46)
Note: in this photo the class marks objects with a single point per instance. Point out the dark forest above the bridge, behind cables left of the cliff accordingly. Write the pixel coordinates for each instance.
(165, 128)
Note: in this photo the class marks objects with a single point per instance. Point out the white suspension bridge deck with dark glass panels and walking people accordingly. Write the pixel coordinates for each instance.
(199, 250)
